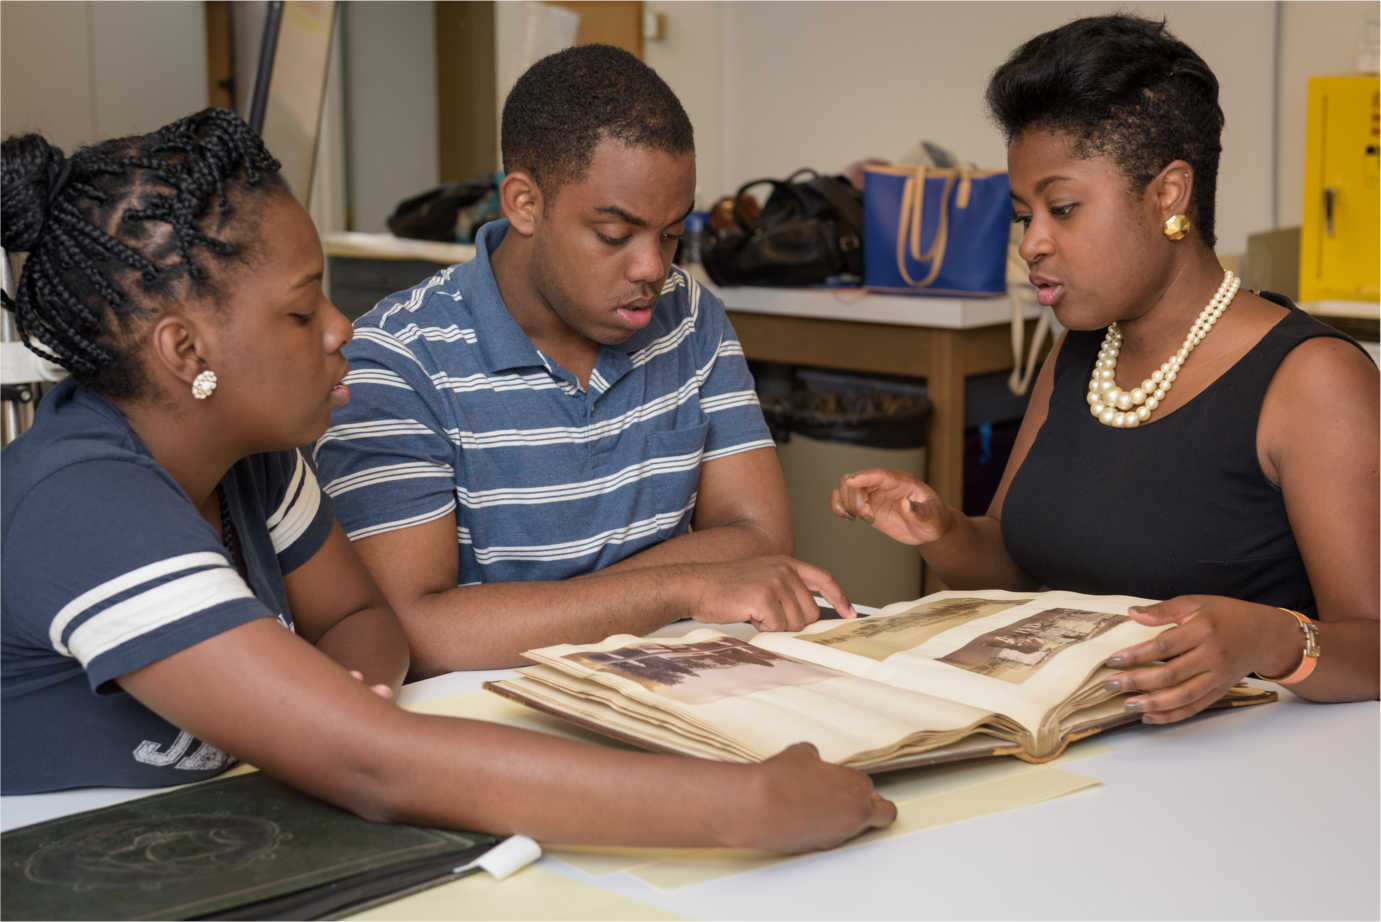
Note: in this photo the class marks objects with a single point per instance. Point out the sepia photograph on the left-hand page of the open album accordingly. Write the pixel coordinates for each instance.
(705, 671)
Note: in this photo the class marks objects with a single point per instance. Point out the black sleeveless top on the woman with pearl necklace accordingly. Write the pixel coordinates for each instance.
(1173, 507)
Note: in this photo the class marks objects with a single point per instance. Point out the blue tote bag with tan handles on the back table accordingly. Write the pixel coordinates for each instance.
(936, 231)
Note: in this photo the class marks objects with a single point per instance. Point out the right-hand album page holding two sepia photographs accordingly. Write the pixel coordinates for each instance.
(1018, 655)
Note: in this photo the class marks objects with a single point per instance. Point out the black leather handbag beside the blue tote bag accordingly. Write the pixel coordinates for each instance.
(810, 233)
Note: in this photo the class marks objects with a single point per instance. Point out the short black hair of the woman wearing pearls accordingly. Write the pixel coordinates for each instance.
(1123, 88)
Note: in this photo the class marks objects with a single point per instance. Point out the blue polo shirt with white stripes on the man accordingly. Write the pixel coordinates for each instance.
(455, 412)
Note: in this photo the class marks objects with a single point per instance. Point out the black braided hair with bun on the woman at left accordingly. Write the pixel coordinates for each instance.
(118, 231)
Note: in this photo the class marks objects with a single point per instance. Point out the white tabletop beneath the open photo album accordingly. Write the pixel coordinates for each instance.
(1263, 814)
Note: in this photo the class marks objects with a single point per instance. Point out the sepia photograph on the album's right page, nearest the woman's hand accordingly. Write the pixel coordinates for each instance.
(1018, 651)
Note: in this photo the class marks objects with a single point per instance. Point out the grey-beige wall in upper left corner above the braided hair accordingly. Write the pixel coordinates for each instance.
(82, 72)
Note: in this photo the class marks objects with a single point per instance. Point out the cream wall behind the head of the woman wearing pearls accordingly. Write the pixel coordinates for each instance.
(774, 86)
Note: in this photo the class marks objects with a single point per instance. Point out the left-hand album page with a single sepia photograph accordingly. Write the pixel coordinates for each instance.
(722, 688)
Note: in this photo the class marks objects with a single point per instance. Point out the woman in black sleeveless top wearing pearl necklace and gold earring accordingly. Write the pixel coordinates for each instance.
(1187, 440)
